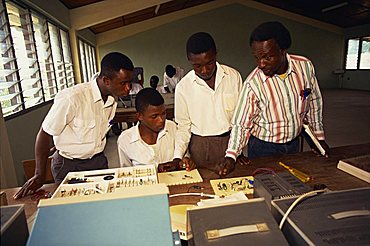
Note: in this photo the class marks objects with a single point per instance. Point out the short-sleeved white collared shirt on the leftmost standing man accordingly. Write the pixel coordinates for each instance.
(79, 120)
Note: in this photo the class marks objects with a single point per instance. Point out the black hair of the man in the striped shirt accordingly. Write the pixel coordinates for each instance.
(272, 30)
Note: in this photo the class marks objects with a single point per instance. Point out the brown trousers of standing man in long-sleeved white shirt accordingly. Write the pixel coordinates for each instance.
(208, 151)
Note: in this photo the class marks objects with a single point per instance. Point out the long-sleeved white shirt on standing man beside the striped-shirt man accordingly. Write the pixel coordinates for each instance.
(202, 110)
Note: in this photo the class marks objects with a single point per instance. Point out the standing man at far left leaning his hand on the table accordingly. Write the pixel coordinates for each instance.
(78, 122)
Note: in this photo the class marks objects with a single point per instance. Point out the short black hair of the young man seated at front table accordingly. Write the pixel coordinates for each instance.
(147, 96)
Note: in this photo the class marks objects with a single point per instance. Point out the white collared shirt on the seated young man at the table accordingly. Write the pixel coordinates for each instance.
(132, 150)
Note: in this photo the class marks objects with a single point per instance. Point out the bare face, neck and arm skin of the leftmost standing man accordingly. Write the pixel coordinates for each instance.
(117, 86)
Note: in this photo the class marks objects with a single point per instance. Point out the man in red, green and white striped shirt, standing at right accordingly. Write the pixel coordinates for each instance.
(279, 95)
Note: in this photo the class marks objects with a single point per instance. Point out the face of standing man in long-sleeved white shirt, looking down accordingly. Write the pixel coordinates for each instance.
(204, 64)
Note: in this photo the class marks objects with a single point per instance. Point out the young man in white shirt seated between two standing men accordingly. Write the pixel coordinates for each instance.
(152, 140)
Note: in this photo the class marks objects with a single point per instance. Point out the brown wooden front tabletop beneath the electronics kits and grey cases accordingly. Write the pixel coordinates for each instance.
(323, 170)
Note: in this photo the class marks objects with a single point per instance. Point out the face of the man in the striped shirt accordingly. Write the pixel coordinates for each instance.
(269, 57)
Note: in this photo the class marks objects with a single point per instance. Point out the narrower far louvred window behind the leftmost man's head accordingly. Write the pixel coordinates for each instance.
(87, 59)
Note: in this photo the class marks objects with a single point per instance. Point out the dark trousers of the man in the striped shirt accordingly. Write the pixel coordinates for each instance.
(259, 148)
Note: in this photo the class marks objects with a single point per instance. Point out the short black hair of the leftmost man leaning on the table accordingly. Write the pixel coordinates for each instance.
(113, 62)
